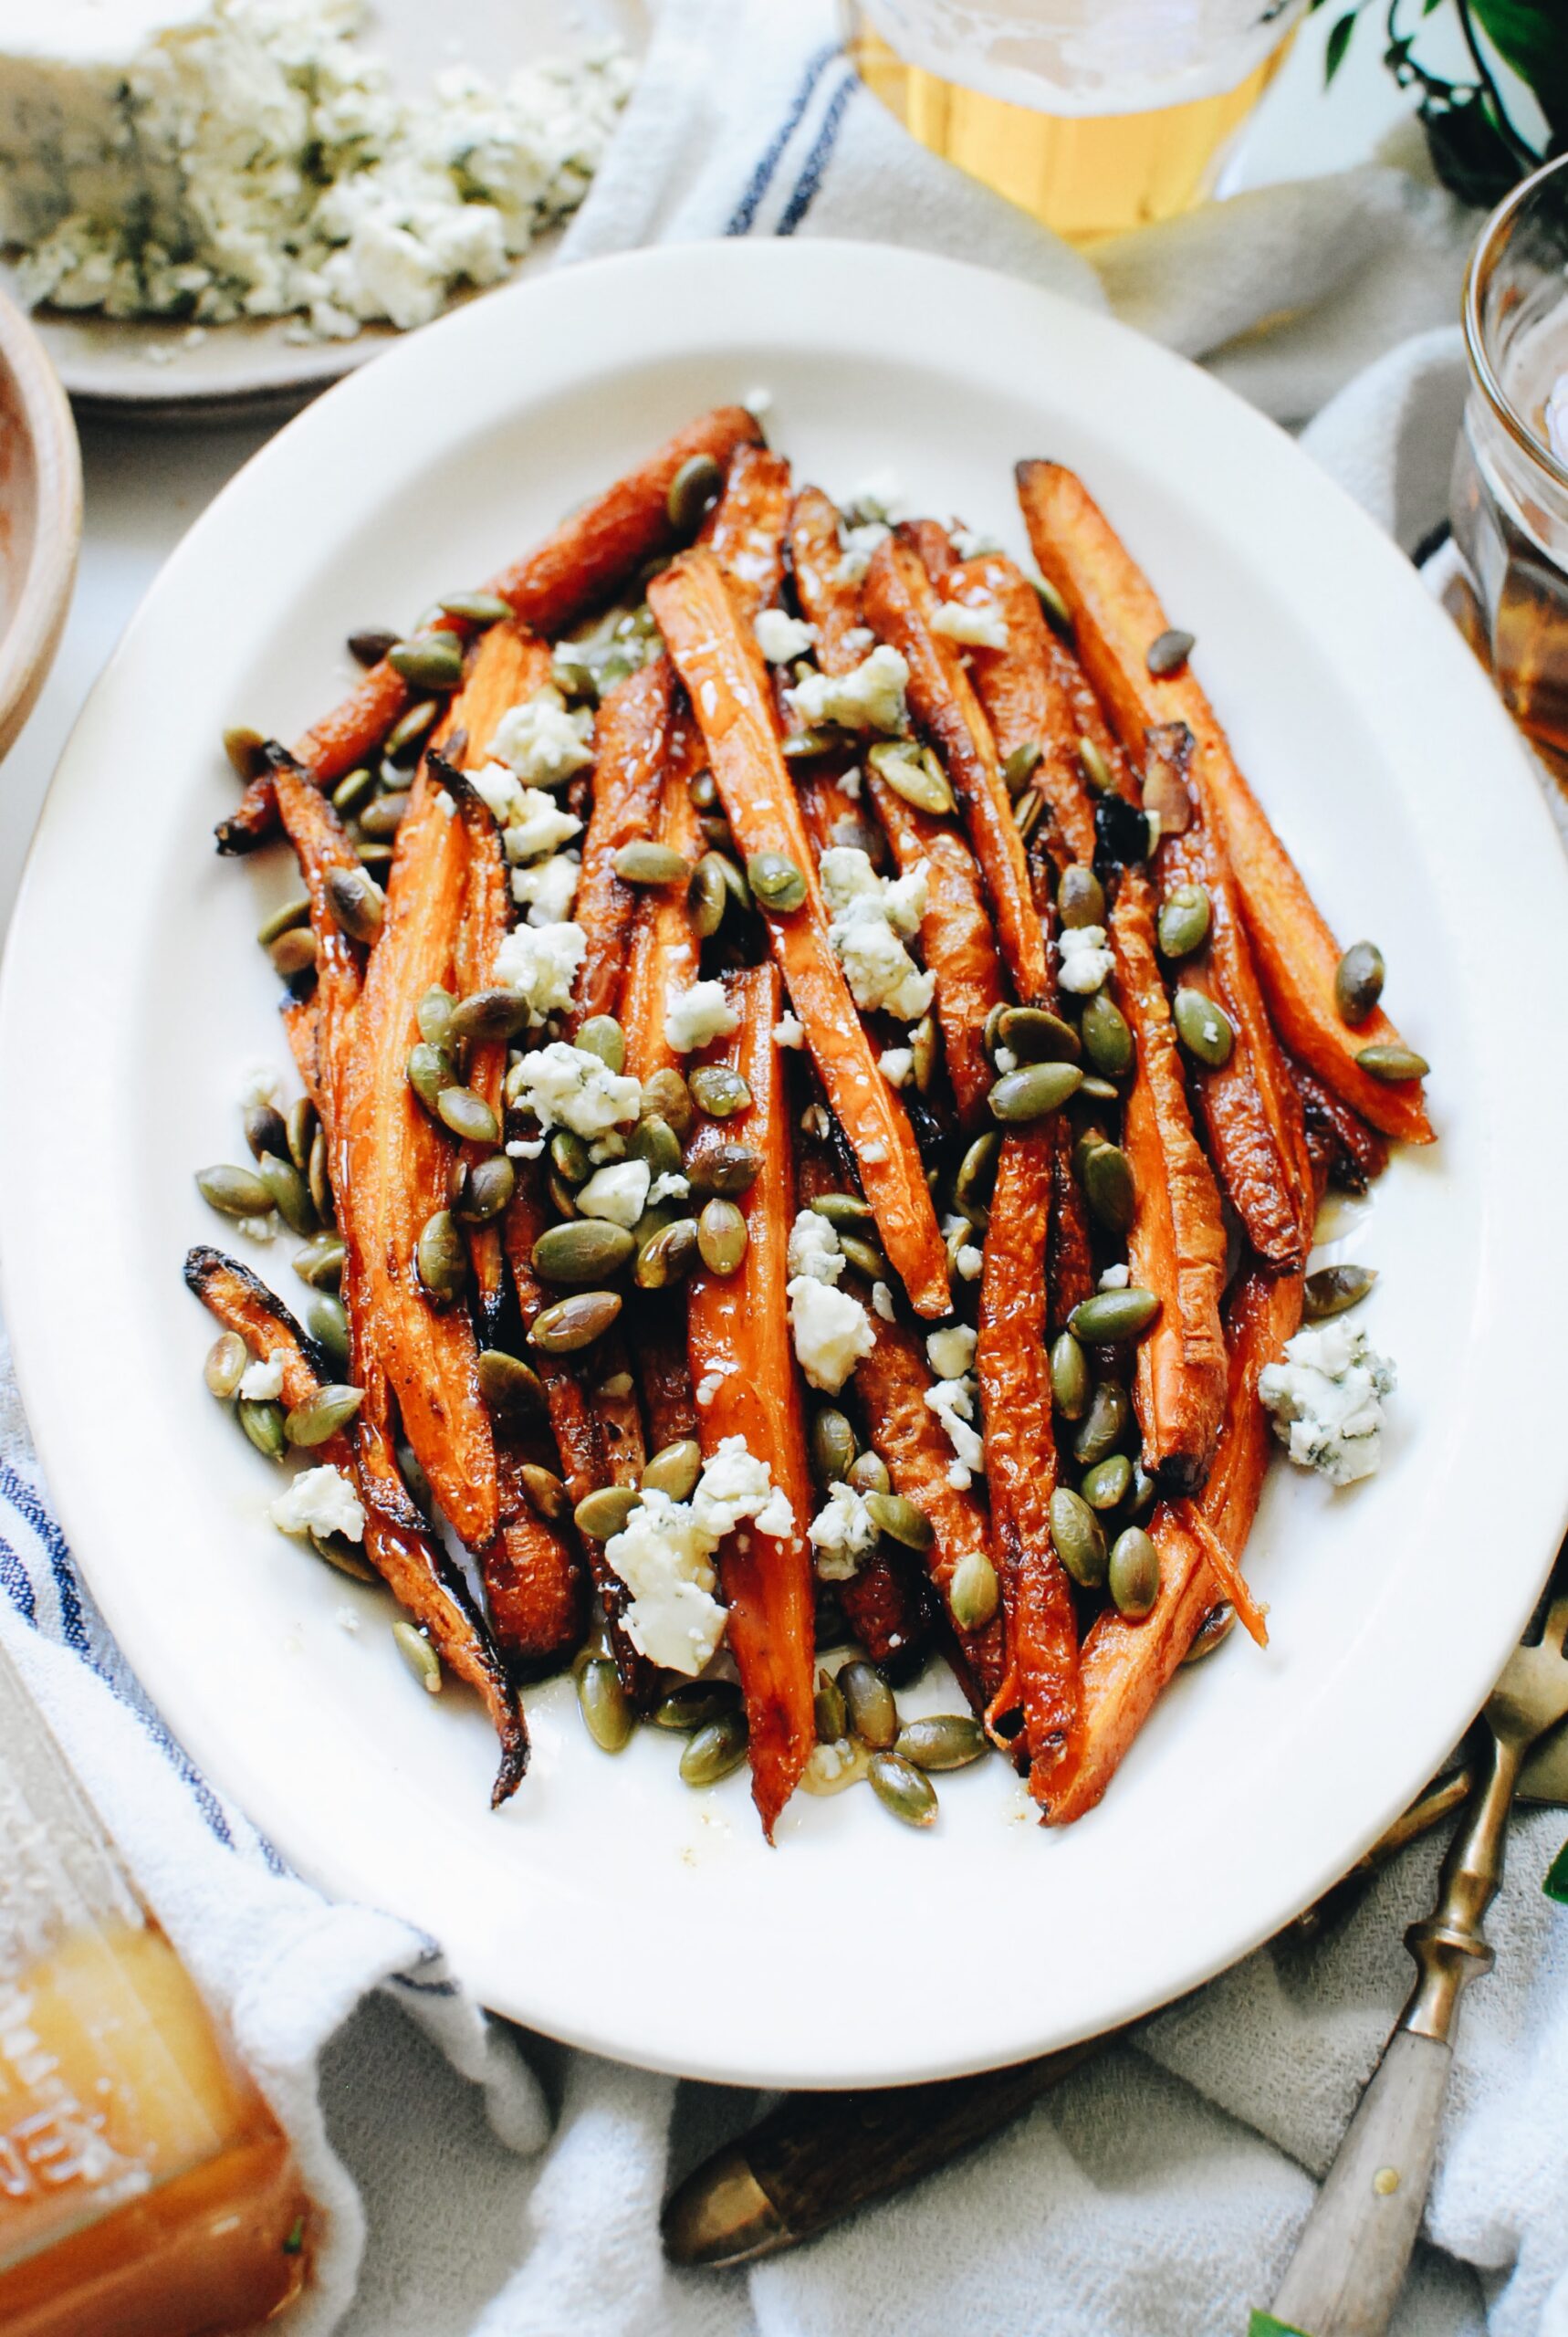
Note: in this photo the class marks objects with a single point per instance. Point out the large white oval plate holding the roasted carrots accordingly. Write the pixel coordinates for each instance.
(609, 1903)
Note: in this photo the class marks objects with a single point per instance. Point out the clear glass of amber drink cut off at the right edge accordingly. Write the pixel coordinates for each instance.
(1511, 471)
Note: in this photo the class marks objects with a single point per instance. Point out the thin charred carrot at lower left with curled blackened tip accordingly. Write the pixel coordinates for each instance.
(396, 1537)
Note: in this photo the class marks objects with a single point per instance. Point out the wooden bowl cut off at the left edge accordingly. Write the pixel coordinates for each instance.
(41, 518)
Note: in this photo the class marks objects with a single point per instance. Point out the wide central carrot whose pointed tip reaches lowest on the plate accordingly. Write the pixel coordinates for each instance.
(742, 1354)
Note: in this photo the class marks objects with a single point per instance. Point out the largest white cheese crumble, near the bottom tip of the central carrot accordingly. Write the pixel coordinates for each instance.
(665, 1555)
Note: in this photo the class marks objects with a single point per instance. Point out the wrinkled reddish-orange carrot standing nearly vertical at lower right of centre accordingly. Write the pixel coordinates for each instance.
(1015, 1396)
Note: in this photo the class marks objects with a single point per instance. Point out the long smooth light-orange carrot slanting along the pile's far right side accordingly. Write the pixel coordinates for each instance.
(1116, 620)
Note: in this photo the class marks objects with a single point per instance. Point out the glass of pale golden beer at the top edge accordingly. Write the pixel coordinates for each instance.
(1097, 116)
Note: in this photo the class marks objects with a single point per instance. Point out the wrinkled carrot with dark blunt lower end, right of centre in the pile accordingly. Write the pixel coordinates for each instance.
(1177, 1244)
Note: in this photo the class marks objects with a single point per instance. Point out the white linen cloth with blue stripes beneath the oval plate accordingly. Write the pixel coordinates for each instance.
(1158, 2193)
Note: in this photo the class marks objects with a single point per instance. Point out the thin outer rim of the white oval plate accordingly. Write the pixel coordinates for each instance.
(22, 1294)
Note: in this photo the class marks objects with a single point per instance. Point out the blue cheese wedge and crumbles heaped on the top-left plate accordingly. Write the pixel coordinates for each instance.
(242, 158)
